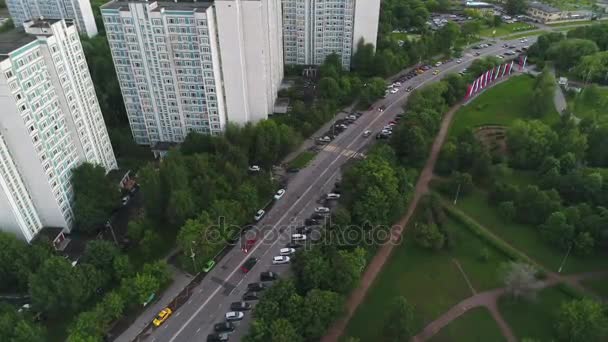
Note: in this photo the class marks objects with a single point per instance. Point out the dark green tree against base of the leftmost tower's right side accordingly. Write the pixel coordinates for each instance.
(95, 196)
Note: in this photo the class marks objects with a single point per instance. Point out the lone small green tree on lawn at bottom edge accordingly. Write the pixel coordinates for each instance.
(399, 321)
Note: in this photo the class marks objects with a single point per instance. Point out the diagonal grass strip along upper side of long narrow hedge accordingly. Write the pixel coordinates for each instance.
(526, 238)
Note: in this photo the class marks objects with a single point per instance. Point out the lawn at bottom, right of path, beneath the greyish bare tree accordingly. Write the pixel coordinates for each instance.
(534, 319)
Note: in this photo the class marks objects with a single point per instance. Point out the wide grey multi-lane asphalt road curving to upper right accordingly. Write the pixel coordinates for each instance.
(226, 283)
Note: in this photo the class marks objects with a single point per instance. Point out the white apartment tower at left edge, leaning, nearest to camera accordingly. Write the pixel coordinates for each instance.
(50, 123)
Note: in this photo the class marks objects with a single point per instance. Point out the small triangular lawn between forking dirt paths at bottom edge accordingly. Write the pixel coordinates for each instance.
(477, 325)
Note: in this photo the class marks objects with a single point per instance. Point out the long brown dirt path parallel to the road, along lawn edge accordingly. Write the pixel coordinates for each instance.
(384, 252)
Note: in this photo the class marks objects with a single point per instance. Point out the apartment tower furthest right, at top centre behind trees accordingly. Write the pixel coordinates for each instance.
(314, 29)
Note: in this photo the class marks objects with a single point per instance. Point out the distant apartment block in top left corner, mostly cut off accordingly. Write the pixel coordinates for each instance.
(77, 10)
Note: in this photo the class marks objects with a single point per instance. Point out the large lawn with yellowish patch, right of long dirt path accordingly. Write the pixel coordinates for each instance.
(429, 280)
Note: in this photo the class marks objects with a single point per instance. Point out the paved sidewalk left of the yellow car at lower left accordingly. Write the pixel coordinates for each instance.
(179, 282)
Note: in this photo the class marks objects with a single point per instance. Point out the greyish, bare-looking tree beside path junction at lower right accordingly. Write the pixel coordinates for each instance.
(520, 279)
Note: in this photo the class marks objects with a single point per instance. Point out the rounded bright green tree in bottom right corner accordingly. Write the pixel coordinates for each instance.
(582, 320)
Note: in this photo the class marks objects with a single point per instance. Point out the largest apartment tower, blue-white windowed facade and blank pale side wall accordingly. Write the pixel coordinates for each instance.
(188, 66)
